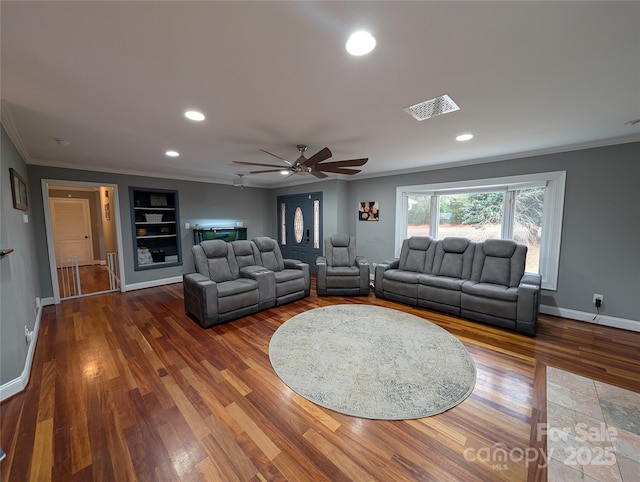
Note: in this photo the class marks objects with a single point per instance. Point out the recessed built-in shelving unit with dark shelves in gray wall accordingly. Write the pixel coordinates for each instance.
(156, 228)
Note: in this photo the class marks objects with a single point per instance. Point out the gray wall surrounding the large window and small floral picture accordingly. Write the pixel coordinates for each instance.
(600, 232)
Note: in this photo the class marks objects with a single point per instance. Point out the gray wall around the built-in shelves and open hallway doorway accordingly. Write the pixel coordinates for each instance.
(202, 203)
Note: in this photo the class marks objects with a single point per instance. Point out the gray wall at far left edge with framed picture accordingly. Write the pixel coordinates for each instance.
(19, 271)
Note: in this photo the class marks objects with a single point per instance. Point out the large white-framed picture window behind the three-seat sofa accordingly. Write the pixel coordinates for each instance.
(525, 208)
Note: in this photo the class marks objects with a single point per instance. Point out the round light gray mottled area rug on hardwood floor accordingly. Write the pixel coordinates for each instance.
(372, 362)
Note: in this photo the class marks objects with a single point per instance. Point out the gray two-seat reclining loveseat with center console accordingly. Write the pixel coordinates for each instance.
(235, 279)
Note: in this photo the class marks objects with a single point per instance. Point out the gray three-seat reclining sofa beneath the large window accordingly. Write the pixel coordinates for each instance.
(484, 281)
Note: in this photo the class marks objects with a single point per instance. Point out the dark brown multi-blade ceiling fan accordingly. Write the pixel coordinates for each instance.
(313, 165)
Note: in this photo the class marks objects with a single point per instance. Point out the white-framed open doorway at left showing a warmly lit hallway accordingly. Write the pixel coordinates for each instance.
(83, 238)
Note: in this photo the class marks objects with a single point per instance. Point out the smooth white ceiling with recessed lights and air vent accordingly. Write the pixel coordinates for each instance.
(115, 78)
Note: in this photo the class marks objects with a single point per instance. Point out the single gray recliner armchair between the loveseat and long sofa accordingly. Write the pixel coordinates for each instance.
(340, 271)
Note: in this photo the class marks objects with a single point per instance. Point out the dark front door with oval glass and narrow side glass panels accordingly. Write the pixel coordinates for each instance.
(299, 227)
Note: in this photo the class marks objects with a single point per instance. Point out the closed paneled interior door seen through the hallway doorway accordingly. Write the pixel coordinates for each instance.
(71, 223)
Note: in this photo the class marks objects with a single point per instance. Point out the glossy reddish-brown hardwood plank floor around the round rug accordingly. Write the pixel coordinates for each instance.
(126, 387)
